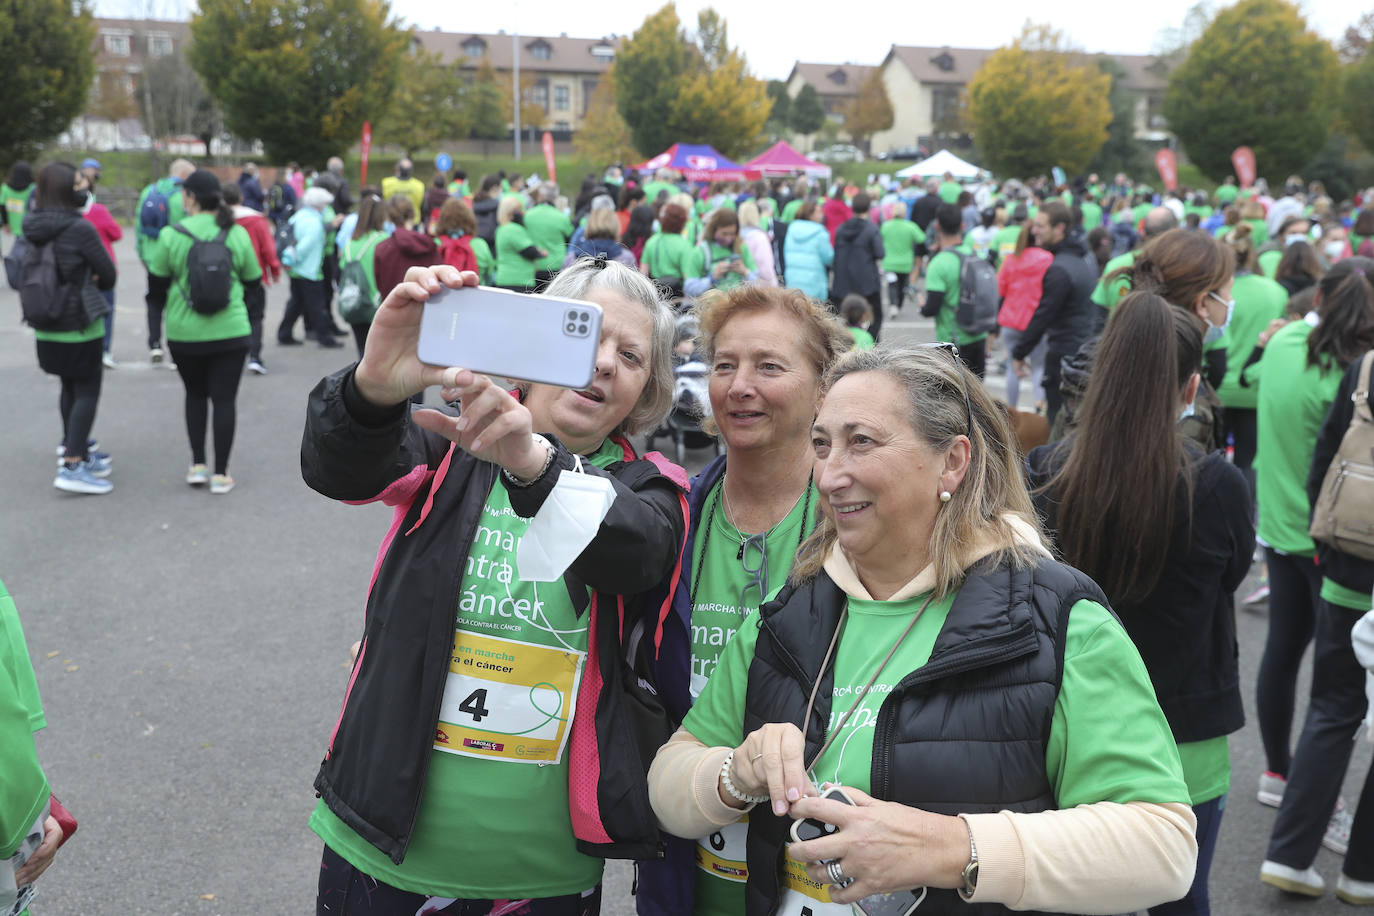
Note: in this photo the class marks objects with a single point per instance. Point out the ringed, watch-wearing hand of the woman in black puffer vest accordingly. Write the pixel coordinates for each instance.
(883, 847)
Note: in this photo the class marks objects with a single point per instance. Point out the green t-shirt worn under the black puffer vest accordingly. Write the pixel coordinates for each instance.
(1108, 738)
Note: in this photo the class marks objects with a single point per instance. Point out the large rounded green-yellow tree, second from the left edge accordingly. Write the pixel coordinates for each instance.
(302, 76)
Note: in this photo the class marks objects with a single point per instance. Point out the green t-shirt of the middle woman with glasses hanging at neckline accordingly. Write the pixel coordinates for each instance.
(723, 591)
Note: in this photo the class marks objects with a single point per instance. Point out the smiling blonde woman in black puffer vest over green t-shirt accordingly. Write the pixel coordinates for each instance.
(884, 632)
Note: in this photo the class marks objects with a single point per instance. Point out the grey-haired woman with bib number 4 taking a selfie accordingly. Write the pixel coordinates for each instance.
(468, 672)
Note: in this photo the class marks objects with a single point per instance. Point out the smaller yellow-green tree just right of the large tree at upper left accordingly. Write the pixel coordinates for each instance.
(431, 87)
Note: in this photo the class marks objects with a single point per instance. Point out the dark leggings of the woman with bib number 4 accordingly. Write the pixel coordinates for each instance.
(347, 892)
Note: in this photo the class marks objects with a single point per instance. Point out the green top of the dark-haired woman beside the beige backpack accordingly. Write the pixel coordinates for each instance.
(1292, 407)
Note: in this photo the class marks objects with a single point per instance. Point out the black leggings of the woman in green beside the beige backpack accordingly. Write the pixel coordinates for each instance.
(1295, 590)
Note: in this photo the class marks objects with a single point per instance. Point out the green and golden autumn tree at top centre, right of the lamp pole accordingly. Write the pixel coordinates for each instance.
(693, 89)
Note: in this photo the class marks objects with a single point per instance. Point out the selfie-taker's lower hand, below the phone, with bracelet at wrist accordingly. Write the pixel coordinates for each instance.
(494, 426)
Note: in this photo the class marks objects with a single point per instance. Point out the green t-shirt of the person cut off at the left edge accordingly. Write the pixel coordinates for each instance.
(24, 790)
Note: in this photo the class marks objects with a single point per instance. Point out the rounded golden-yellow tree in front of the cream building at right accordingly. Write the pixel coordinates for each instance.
(1037, 105)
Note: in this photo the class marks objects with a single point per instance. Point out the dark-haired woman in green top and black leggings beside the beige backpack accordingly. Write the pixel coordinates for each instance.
(1298, 380)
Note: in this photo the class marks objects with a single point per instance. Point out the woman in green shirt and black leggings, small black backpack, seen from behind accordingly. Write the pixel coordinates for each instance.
(208, 344)
